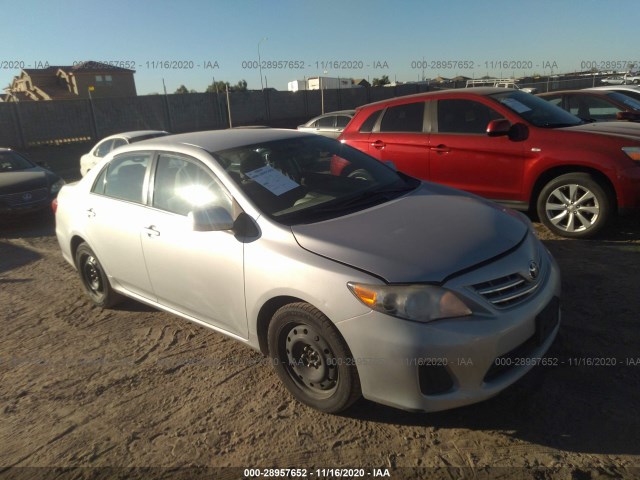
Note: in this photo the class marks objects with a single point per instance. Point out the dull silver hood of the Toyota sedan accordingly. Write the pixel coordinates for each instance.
(425, 236)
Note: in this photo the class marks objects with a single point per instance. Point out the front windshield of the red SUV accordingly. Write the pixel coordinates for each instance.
(535, 110)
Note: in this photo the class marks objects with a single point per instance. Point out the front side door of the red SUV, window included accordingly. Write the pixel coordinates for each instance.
(463, 156)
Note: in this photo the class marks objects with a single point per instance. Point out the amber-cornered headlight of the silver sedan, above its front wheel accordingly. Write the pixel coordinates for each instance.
(421, 303)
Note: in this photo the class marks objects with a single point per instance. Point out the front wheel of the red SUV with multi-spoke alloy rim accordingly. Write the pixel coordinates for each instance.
(574, 205)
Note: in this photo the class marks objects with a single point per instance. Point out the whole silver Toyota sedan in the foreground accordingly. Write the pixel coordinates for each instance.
(367, 282)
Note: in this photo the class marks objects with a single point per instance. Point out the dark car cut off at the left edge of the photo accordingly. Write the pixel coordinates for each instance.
(24, 185)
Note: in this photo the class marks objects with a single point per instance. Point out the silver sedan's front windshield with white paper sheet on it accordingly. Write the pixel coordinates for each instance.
(306, 179)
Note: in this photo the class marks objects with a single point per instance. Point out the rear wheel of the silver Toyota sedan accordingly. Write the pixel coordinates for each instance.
(94, 279)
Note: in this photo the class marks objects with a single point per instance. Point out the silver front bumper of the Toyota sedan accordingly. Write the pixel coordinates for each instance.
(454, 362)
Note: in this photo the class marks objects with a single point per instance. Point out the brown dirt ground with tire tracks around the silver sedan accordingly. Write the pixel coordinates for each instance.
(135, 387)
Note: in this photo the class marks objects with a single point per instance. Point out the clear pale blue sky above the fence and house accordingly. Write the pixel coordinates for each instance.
(193, 42)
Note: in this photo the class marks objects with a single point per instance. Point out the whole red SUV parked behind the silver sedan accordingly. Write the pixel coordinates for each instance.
(508, 146)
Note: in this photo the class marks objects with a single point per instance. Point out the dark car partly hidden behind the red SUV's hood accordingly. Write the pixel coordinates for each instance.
(596, 106)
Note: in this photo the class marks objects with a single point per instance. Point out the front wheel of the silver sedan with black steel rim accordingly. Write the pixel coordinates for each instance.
(312, 359)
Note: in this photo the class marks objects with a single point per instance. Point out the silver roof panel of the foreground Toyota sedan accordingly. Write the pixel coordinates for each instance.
(217, 140)
